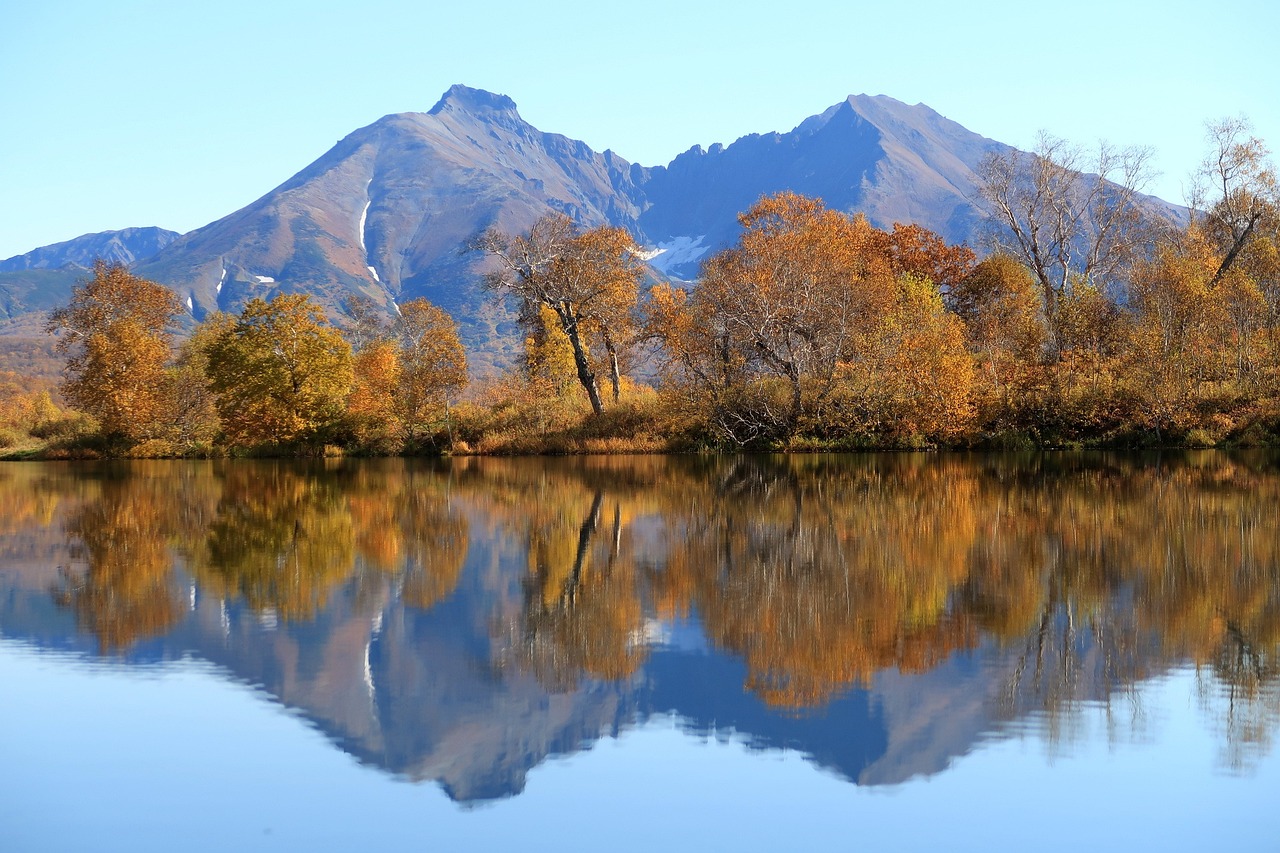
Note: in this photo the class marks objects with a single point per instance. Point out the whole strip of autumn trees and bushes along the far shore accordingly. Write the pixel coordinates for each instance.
(1091, 323)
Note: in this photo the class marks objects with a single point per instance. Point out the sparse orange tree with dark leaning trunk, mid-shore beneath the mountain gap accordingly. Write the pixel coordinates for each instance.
(591, 280)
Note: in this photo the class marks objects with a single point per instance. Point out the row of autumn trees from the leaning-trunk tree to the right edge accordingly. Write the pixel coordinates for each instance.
(1098, 317)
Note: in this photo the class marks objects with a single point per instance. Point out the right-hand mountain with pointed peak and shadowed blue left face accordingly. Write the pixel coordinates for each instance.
(871, 156)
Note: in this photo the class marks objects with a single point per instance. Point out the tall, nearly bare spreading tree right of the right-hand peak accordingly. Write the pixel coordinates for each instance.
(1064, 225)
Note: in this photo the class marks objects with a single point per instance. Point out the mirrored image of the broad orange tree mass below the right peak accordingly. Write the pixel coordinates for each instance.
(822, 573)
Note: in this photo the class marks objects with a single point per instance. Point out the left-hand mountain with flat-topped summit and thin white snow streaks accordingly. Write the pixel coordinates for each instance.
(387, 212)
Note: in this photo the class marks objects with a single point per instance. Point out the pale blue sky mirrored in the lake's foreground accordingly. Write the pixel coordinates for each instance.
(179, 758)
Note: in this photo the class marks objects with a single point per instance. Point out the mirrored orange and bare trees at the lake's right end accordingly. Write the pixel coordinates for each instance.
(1101, 573)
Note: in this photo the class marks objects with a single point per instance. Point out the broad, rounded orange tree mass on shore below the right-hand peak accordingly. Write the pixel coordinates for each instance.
(812, 322)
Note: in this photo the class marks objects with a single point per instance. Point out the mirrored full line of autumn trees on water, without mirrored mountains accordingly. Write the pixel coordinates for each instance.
(1082, 574)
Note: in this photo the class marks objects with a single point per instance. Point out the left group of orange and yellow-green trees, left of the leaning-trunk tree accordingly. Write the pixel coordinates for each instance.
(276, 376)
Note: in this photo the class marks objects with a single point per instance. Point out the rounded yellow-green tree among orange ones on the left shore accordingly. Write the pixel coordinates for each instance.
(281, 373)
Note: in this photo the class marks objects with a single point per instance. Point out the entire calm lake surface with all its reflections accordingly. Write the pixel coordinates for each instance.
(861, 653)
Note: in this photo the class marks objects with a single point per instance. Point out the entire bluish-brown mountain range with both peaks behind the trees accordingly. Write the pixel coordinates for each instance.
(387, 211)
